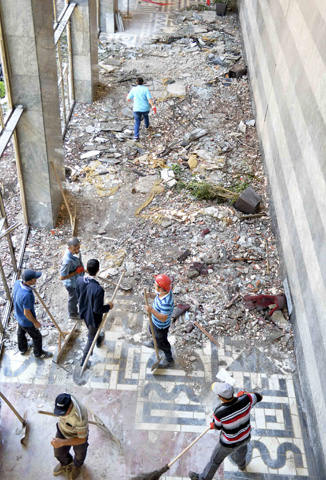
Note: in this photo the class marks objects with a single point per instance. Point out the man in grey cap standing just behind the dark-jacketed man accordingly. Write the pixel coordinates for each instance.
(72, 268)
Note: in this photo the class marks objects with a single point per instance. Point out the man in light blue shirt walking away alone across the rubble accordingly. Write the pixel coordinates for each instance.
(142, 103)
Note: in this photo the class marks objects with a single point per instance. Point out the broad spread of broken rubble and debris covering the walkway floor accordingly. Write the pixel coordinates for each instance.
(176, 187)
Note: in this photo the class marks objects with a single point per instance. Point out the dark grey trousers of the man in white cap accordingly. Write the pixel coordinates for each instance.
(238, 455)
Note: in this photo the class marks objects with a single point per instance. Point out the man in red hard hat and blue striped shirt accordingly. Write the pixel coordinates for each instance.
(161, 312)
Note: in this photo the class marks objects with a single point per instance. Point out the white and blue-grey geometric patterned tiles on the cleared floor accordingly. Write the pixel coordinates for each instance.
(177, 403)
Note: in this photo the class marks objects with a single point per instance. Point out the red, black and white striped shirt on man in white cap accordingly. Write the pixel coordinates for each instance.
(233, 419)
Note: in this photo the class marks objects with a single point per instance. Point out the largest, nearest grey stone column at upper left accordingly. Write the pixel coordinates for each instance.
(28, 29)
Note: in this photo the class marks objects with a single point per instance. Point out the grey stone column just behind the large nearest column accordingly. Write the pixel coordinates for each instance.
(84, 50)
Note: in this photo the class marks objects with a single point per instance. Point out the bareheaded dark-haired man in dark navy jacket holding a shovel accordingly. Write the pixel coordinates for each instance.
(91, 304)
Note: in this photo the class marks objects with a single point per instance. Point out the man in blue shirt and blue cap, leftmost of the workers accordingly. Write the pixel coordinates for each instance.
(24, 301)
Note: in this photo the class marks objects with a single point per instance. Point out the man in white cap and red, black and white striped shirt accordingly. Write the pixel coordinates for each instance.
(232, 417)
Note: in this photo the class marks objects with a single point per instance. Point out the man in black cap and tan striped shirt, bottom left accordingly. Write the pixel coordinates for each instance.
(72, 431)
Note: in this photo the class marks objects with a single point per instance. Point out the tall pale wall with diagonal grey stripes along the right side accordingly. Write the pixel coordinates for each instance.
(285, 45)
